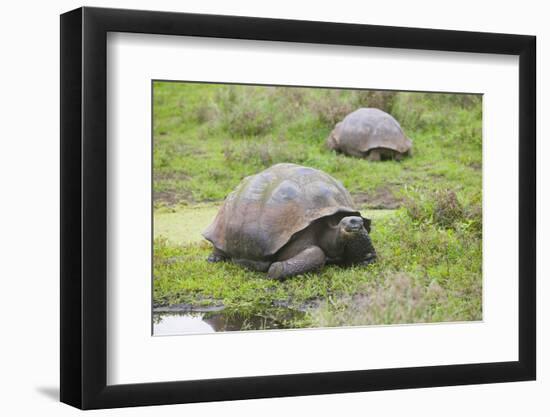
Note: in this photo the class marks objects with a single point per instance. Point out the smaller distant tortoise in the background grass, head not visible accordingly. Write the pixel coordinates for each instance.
(370, 133)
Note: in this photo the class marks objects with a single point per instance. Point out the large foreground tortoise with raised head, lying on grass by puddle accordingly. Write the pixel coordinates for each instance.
(289, 220)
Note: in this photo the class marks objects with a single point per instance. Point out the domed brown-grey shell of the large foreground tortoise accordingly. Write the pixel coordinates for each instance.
(265, 210)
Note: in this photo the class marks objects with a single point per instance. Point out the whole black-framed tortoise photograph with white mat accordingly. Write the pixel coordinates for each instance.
(257, 208)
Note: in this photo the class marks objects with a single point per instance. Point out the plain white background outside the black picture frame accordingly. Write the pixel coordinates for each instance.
(29, 175)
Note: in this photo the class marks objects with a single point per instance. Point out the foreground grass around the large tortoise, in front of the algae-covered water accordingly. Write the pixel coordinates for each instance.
(445, 262)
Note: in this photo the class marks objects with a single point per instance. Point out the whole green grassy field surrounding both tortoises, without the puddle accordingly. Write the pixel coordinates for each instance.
(426, 210)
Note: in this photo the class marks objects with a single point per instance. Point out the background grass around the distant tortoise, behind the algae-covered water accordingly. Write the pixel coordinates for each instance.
(208, 137)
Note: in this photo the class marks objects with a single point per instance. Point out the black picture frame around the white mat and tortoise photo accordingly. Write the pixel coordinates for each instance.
(84, 207)
